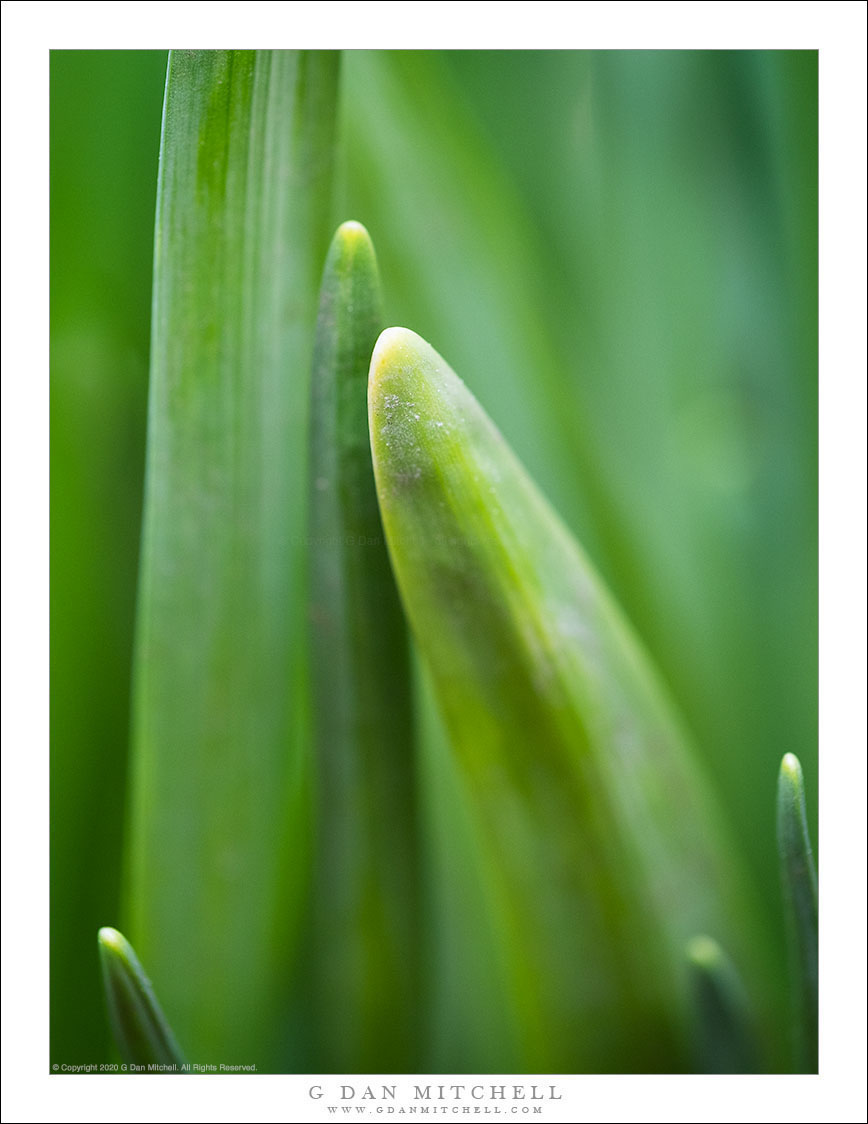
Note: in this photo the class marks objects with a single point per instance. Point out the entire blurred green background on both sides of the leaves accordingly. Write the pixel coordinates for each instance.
(618, 251)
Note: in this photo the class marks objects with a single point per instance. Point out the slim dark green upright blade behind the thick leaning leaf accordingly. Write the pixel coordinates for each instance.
(368, 872)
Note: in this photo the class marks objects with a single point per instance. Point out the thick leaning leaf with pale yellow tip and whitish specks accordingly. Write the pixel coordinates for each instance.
(605, 854)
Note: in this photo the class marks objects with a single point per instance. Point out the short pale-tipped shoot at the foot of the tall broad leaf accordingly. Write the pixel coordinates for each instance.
(141, 1030)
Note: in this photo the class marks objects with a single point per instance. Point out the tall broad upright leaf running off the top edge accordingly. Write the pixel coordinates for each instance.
(218, 847)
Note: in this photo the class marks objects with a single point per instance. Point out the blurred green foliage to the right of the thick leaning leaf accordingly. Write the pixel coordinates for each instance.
(619, 253)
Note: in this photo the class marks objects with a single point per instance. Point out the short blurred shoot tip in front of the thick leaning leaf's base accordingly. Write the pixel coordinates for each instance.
(725, 1039)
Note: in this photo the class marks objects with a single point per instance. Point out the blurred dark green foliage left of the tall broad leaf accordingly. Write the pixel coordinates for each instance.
(105, 141)
